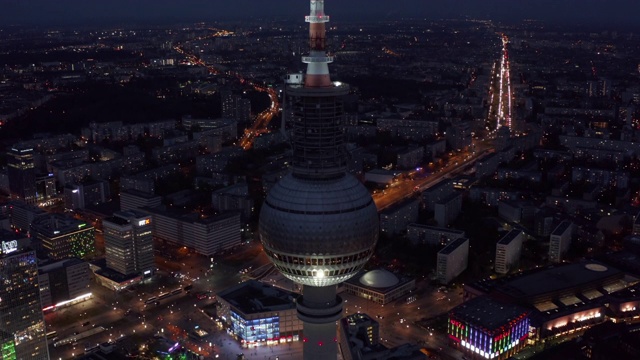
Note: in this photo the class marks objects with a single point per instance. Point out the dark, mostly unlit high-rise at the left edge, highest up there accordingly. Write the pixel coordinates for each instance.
(22, 173)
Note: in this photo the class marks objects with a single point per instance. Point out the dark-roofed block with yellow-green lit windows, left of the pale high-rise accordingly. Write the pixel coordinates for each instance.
(64, 237)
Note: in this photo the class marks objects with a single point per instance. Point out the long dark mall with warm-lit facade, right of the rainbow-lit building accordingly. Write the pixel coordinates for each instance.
(562, 299)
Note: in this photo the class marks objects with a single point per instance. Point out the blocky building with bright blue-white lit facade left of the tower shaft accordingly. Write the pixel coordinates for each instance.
(259, 314)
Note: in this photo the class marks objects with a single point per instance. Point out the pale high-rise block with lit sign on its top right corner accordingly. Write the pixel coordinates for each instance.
(128, 243)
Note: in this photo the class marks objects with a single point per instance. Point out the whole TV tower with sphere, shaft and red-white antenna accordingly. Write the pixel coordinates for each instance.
(318, 225)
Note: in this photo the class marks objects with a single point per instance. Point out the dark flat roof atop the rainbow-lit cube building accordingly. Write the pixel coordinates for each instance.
(487, 312)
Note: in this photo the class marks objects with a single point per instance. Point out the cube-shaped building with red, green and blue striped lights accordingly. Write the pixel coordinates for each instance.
(488, 328)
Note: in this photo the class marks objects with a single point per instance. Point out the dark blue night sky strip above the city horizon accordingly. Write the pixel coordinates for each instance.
(59, 12)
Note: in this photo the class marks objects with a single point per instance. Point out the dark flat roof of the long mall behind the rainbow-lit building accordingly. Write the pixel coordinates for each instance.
(556, 279)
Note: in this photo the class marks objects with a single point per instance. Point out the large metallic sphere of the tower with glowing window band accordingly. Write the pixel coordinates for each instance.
(319, 232)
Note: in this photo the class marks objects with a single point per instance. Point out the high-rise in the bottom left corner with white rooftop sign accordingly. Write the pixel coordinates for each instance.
(22, 328)
